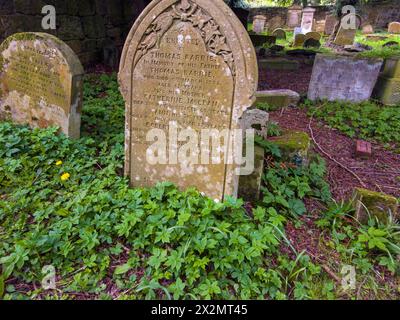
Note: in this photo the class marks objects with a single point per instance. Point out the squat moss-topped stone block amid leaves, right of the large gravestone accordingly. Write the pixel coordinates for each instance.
(294, 145)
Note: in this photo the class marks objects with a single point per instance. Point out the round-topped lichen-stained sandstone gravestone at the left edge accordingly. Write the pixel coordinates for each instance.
(40, 82)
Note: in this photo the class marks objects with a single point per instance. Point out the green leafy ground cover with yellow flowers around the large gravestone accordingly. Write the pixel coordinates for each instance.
(65, 203)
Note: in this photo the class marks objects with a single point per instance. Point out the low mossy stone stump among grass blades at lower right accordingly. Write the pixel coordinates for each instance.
(375, 205)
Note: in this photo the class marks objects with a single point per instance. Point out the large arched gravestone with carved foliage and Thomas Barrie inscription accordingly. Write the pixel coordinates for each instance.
(189, 63)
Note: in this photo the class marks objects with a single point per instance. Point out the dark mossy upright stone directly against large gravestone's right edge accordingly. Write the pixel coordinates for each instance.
(250, 185)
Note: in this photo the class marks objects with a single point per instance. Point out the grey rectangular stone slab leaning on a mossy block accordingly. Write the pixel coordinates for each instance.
(343, 78)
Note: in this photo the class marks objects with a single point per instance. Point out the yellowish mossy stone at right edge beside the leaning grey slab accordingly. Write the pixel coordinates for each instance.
(387, 88)
